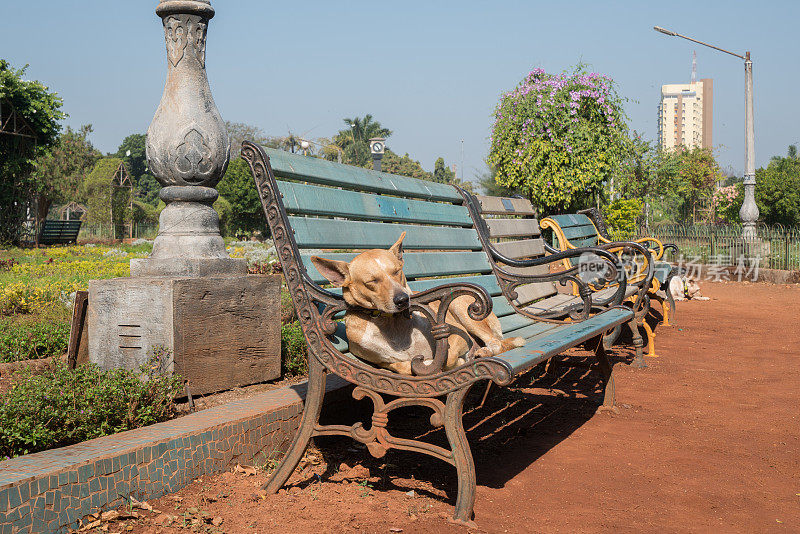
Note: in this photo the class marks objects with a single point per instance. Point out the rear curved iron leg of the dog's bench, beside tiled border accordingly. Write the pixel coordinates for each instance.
(311, 410)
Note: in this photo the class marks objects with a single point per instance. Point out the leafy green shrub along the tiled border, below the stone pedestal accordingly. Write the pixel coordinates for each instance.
(60, 406)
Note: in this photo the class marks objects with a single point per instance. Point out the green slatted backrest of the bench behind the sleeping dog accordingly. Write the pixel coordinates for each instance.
(338, 210)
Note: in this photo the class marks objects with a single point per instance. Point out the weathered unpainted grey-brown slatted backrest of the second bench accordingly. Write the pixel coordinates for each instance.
(514, 232)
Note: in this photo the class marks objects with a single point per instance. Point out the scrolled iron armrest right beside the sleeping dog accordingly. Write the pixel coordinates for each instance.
(445, 294)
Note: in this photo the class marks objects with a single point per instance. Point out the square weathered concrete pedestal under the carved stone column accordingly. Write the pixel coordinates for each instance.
(223, 331)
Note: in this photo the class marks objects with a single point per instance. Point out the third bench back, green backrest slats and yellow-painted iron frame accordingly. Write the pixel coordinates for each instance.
(579, 230)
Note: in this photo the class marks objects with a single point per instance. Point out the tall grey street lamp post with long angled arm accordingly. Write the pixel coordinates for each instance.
(749, 212)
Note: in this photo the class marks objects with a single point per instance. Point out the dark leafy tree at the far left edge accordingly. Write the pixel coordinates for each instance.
(40, 111)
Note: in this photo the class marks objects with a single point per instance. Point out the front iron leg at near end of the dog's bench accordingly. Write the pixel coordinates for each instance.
(462, 455)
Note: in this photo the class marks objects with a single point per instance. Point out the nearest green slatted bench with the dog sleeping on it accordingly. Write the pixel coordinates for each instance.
(319, 207)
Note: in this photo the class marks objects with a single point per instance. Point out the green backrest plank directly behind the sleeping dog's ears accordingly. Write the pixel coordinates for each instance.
(418, 264)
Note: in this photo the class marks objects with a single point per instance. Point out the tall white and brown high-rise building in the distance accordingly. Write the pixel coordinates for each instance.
(685, 114)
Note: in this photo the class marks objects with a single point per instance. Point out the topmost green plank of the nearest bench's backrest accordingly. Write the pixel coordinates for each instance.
(320, 171)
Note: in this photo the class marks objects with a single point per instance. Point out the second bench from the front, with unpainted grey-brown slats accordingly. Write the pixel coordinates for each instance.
(510, 231)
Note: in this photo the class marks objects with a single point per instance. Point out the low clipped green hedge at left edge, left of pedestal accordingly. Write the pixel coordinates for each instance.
(29, 340)
